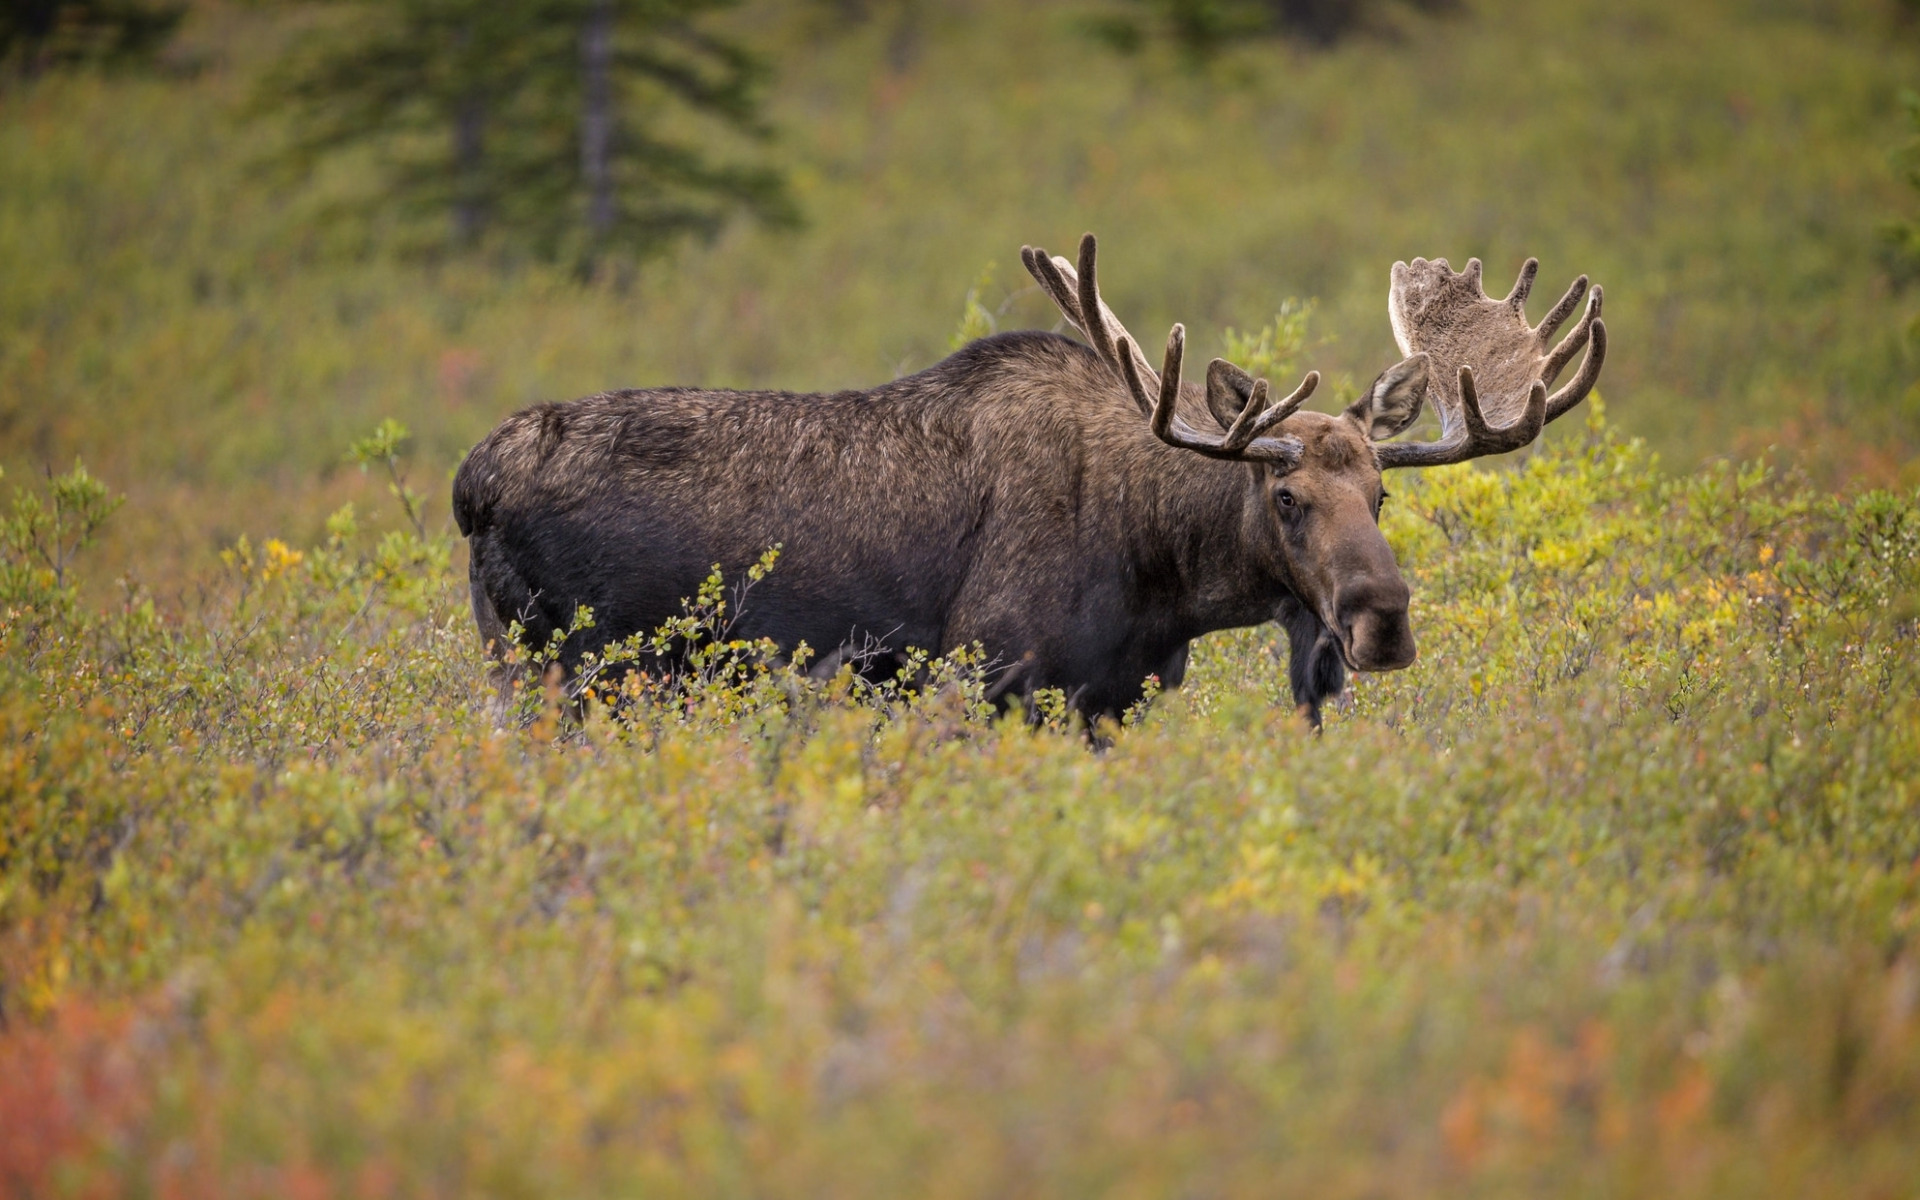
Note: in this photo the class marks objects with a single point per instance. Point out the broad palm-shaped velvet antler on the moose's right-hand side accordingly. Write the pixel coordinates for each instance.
(1487, 362)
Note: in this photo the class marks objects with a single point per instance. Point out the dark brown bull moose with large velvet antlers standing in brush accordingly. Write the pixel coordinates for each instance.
(1067, 508)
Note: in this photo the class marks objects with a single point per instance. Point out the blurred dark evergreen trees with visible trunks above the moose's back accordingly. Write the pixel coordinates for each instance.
(498, 118)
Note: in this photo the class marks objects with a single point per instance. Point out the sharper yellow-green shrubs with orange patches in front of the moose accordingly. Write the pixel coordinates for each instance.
(1614, 892)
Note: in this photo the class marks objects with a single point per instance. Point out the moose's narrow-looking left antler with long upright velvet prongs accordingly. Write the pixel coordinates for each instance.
(1245, 425)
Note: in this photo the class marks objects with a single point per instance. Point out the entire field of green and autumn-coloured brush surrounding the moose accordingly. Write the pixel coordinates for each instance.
(1614, 894)
